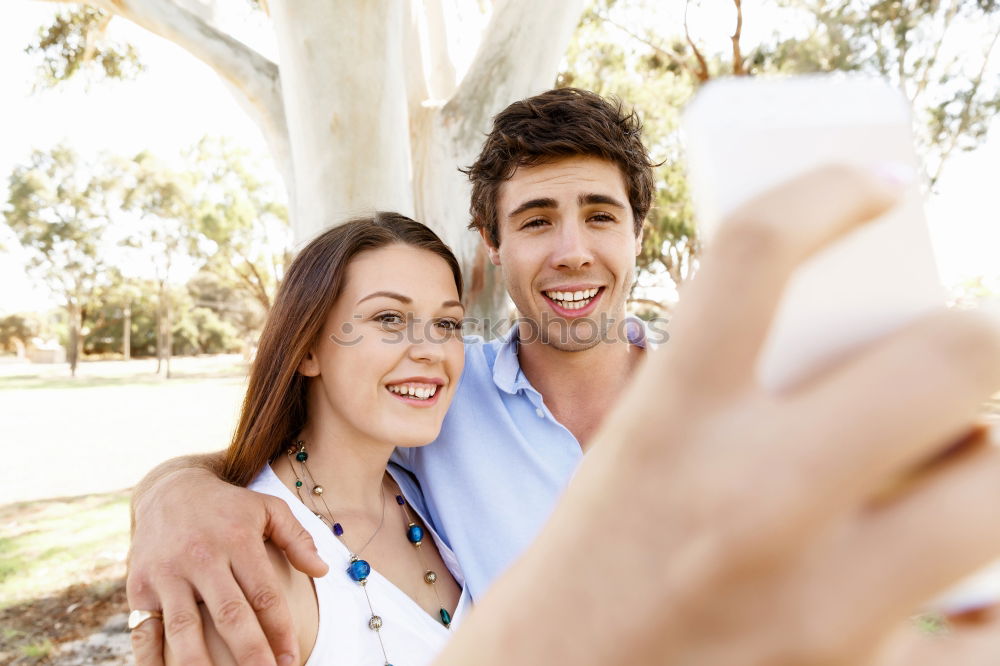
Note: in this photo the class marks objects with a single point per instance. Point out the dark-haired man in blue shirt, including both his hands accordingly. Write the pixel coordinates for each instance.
(699, 510)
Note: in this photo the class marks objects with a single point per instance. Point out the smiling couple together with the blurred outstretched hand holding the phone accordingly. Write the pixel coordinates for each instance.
(709, 522)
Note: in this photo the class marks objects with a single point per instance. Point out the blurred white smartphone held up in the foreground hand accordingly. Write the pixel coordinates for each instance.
(744, 136)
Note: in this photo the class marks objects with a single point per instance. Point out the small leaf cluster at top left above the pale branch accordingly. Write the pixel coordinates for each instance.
(76, 42)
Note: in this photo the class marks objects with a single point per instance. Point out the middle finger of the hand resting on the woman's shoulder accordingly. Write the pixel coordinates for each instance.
(234, 618)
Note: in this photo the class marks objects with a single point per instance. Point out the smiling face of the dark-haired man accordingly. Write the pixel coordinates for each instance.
(567, 248)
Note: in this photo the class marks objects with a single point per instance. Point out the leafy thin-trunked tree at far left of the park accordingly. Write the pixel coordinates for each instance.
(59, 210)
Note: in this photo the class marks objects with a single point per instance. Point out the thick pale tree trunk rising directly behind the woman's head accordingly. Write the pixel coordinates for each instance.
(343, 85)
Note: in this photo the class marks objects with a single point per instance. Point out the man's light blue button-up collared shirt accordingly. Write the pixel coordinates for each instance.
(494, 474)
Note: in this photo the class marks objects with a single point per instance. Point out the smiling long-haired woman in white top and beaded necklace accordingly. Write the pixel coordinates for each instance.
(361, 353)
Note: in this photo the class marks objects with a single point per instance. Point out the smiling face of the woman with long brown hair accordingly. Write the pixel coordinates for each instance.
(390, 353)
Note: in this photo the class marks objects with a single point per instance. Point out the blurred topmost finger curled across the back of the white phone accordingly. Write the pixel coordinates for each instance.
(727, 309)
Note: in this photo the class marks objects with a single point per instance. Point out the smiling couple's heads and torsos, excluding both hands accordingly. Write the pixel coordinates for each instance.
(362, 355)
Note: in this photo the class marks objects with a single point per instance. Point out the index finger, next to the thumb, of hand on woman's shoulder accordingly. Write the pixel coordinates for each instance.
(256, 576)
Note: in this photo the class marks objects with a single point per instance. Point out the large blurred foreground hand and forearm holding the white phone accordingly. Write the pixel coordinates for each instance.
(717, 523)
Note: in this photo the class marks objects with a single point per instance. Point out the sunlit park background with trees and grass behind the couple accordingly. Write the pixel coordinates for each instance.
(162, 159)
